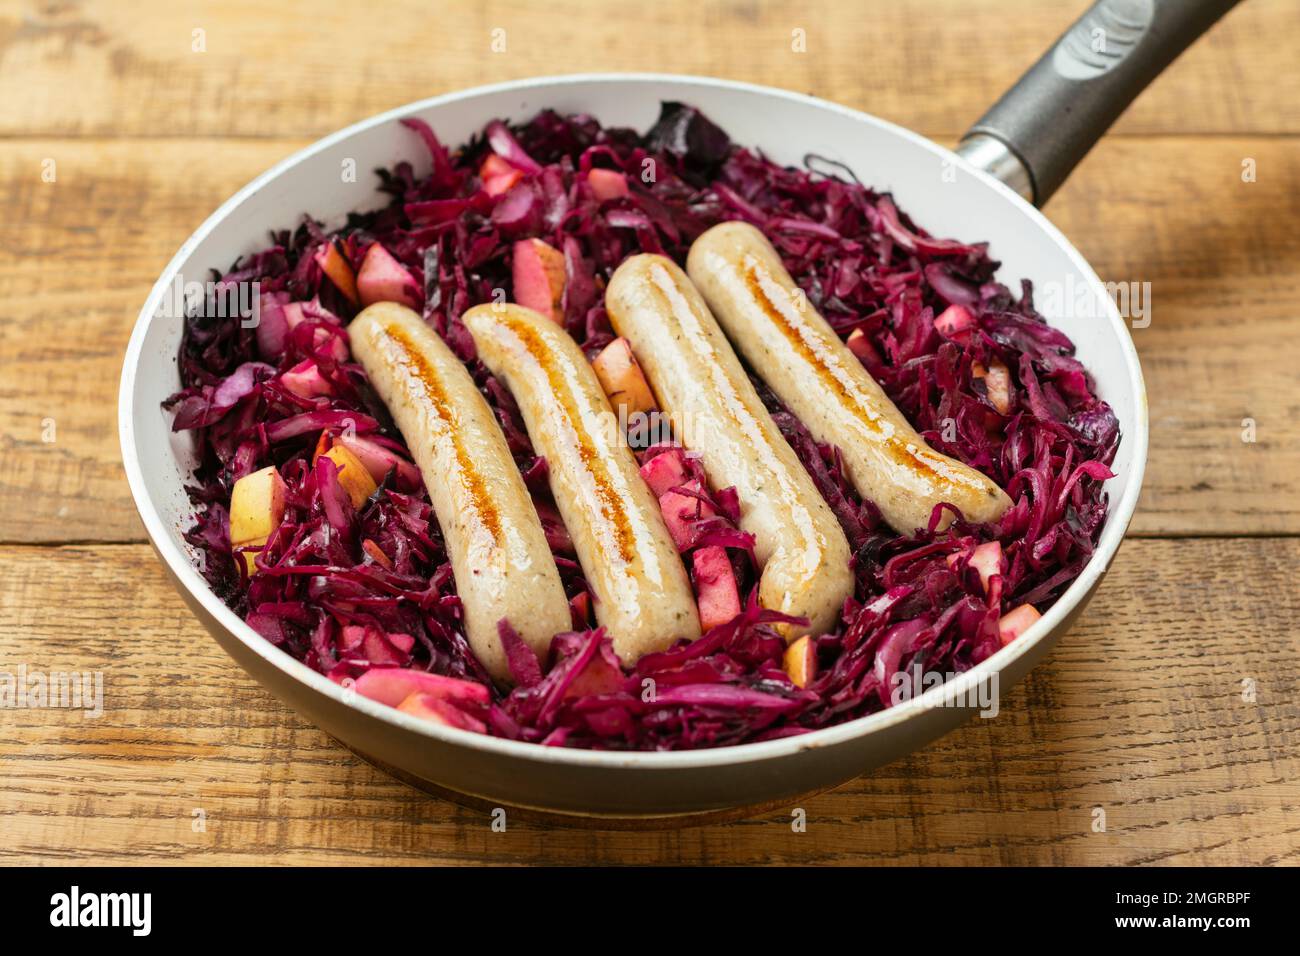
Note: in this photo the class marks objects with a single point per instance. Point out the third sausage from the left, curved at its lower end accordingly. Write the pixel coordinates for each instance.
(714, 408)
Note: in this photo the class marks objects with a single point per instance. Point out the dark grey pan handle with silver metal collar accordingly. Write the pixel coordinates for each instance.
(1047, 123)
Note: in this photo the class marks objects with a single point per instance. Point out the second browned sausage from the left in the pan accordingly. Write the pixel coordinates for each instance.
(643, 595)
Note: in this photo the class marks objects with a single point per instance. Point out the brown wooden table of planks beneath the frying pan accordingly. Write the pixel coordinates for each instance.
(150, 115)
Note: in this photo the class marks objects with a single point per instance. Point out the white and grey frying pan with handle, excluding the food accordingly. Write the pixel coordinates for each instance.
(1011, 162)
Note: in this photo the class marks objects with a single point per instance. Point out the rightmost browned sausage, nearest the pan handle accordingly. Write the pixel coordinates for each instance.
(801, 358)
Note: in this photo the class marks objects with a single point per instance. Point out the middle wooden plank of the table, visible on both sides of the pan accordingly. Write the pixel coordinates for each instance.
(1223, 258)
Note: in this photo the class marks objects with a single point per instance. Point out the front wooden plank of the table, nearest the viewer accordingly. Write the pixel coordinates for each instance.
(1139, 712)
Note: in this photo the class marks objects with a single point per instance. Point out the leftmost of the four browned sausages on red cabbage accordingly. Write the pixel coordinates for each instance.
(500, 557)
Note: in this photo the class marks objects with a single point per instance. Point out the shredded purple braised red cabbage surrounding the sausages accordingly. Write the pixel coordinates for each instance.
(348, 591)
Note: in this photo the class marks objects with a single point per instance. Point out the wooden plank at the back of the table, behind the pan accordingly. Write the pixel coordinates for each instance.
(97, 70)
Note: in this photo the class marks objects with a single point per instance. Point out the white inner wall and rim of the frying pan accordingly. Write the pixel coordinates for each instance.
(937, 189)
